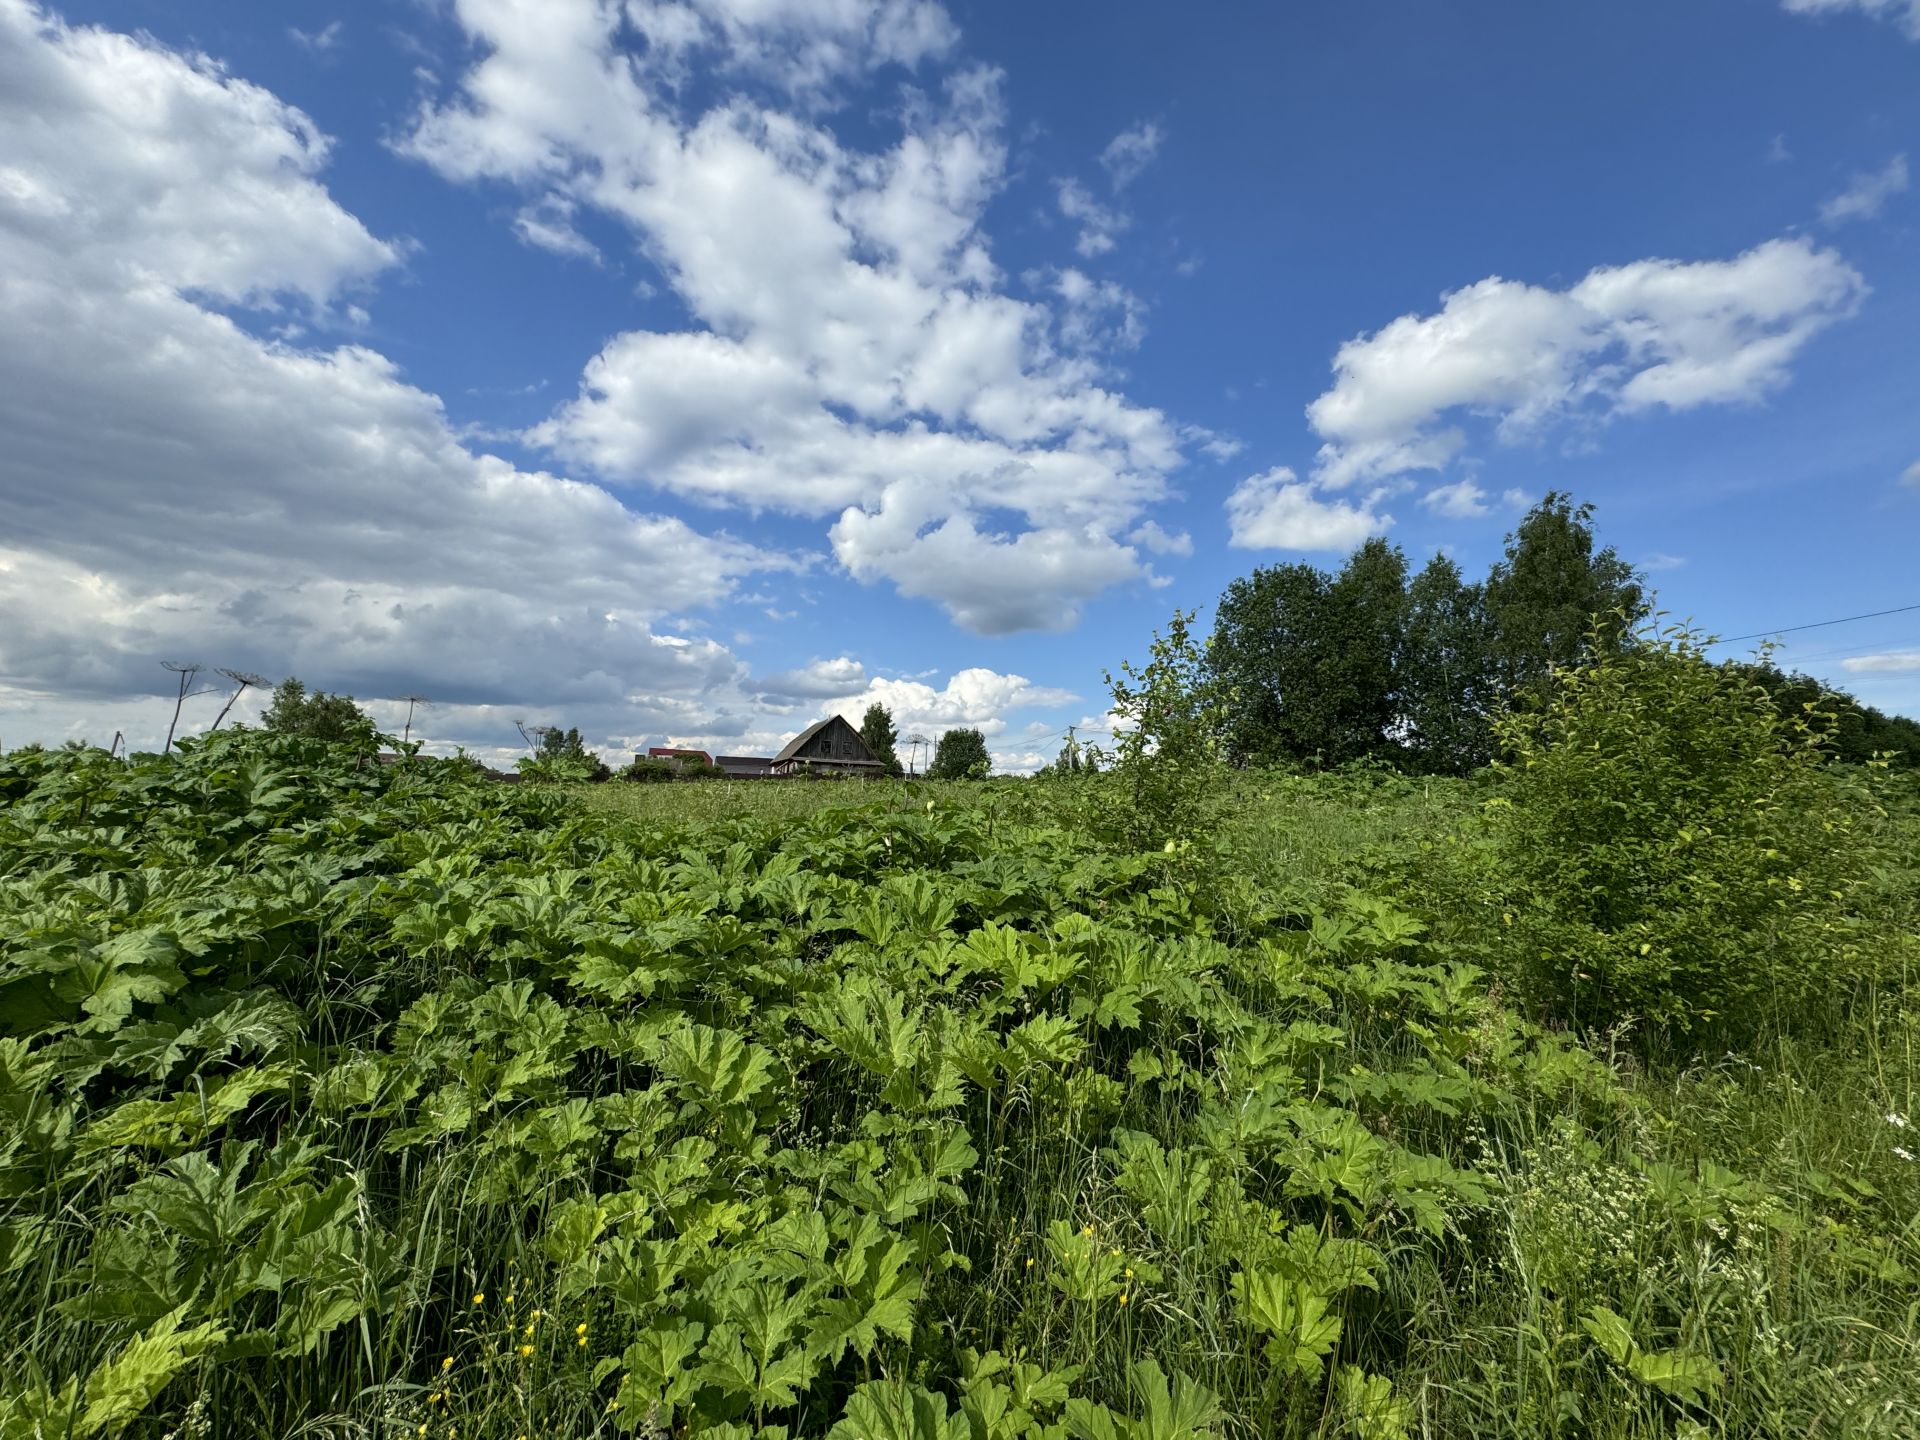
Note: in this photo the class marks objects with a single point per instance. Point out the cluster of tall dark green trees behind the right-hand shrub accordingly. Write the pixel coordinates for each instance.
(1366, 663)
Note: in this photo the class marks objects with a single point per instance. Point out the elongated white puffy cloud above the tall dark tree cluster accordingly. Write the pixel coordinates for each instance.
(1629, 339)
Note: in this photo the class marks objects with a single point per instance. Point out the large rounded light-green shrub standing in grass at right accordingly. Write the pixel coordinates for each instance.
(1675, 848)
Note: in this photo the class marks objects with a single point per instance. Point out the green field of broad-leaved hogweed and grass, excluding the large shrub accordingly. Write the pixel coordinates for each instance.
(404, 1105)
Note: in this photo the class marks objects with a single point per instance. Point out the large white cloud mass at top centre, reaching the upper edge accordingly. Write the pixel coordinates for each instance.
(855, 356)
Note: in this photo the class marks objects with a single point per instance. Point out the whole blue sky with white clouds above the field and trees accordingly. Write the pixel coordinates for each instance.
(686, 370)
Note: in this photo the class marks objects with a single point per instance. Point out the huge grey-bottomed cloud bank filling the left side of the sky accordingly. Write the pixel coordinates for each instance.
(176, 487)
